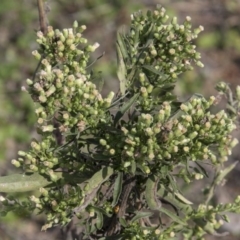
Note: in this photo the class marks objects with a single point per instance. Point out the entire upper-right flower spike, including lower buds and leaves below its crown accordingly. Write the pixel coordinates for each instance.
(162, 50)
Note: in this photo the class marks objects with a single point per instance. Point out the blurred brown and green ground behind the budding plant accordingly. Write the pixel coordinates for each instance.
(219, 45)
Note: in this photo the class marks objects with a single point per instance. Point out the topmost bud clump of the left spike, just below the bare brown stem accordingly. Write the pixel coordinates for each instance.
(61, 47)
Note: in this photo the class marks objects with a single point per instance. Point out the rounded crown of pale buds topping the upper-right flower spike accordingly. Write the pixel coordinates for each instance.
(170, 49)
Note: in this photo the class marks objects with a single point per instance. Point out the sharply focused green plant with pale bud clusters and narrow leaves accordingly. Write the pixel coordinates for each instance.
(114, 169)
